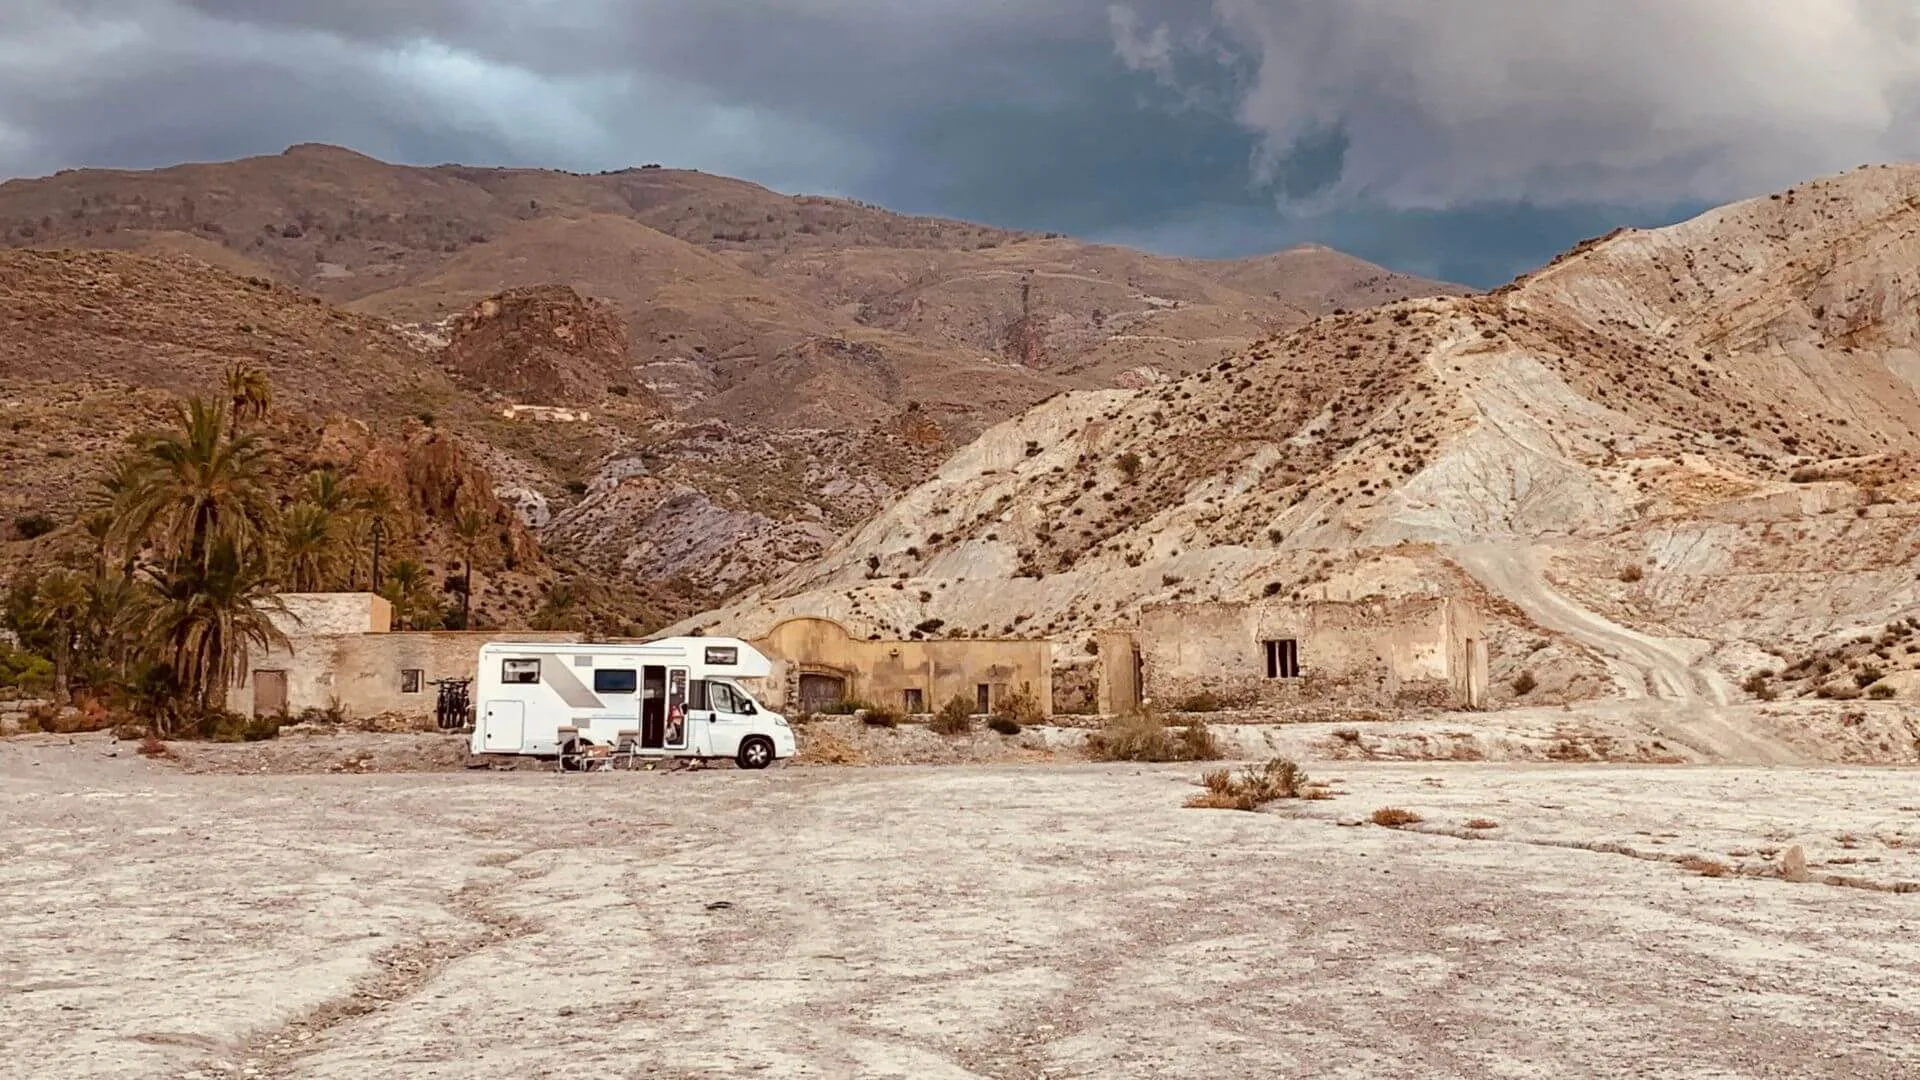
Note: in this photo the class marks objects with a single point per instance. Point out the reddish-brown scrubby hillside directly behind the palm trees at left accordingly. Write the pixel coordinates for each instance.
(97, 347)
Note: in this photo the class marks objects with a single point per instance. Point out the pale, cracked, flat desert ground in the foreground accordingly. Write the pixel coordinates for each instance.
(999, 921)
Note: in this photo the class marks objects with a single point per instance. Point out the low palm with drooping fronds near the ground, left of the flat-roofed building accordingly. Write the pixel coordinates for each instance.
(210, 616)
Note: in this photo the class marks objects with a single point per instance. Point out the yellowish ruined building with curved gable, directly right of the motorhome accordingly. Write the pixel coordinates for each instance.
(817, 664)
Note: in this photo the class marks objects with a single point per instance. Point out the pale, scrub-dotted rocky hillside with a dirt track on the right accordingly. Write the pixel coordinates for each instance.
(1666, 464)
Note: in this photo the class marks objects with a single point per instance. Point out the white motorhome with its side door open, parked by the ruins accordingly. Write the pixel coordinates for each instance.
(671, 699)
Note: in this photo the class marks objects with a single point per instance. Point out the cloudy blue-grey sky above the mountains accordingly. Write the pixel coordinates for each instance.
(1460, 139)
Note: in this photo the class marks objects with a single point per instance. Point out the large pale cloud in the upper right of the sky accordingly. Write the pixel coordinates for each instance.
(1570, 101)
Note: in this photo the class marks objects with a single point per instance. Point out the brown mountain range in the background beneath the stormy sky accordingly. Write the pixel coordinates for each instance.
(688, 381)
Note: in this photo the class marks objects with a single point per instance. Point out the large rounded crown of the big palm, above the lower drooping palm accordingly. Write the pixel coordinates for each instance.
(195, 487)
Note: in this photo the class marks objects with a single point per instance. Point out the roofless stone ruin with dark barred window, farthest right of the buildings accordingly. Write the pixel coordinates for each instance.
(1426, 650)
